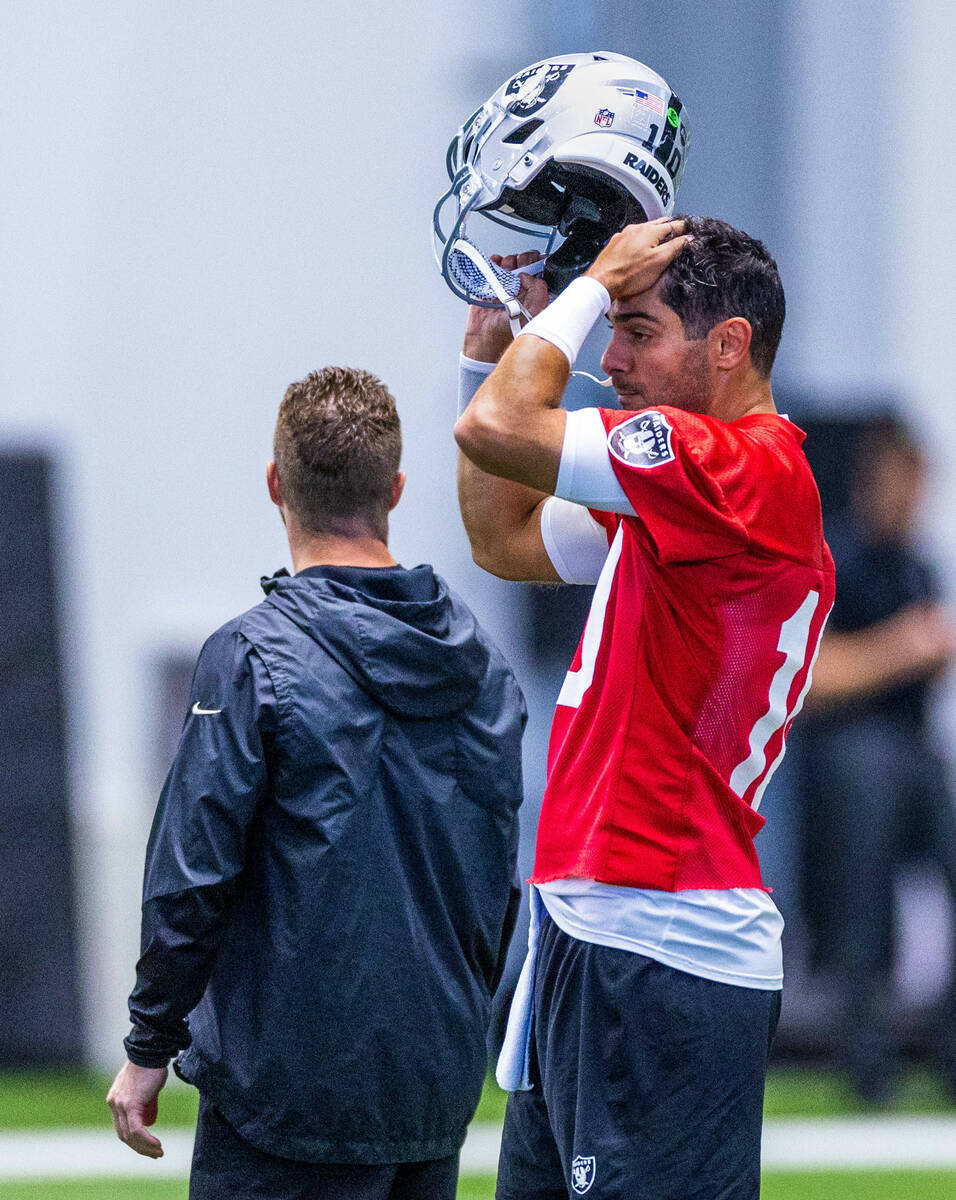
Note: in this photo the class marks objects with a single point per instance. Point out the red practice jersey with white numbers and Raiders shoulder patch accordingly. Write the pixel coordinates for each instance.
(695, 659)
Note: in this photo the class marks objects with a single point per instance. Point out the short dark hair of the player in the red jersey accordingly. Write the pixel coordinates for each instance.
(724, 273)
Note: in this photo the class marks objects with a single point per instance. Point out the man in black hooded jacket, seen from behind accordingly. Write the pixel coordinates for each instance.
(329, 879)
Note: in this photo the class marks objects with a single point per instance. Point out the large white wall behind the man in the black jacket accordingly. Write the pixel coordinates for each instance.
(205, 202)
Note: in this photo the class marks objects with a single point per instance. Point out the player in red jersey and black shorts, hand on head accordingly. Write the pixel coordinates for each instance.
(639, 1039)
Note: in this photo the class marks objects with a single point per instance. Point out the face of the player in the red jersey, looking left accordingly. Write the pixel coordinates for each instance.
(651, 361)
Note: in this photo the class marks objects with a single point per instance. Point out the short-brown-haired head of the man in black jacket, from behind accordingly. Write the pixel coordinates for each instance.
(338, 448)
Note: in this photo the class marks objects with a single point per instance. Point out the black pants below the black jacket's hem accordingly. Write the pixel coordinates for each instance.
(229, 1168)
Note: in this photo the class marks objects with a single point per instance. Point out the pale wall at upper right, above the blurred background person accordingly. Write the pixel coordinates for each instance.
(869, 242)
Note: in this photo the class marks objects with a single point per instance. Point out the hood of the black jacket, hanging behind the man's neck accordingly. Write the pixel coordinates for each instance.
(402, 635)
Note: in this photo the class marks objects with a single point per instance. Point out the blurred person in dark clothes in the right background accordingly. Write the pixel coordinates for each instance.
(877, 793)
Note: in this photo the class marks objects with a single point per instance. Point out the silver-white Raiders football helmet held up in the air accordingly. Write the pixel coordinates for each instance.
(569, 151)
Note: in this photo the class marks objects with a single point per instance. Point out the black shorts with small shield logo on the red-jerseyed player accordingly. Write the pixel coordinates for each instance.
(648, 1082)
